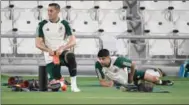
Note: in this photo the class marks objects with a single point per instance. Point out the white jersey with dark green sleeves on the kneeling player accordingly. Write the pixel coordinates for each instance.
(54, 35)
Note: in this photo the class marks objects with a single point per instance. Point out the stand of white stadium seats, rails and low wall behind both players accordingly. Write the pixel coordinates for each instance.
(151, 33)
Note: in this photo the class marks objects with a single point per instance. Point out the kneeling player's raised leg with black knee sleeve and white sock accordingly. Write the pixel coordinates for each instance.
(69, 60)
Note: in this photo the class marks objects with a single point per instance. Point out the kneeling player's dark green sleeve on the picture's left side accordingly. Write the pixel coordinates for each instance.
(40, 32)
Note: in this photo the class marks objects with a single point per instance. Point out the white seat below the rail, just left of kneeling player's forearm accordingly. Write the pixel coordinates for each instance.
(25, 48)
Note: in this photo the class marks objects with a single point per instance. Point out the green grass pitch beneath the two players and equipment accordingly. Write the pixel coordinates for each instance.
(92, 93)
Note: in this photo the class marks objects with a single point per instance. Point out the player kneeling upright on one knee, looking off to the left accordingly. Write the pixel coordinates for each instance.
(56, 40)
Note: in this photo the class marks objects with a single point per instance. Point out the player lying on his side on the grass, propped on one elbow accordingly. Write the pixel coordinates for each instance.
(121, 70)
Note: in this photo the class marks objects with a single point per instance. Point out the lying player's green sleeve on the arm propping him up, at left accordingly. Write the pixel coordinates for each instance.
(98, 69)
